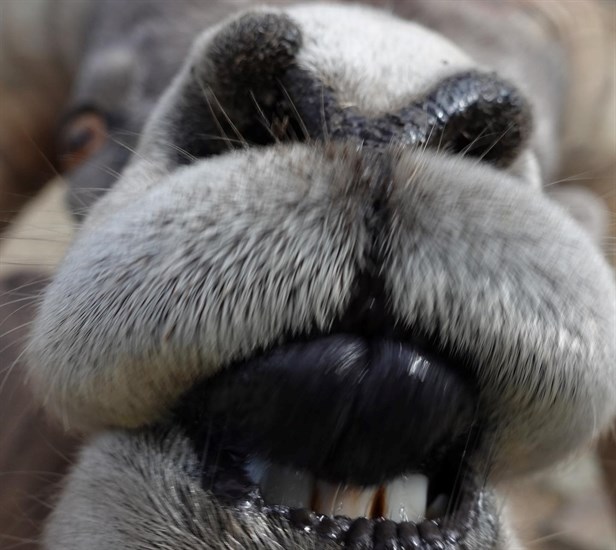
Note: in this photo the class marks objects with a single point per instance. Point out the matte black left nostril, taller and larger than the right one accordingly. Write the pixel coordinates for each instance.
(232, 96)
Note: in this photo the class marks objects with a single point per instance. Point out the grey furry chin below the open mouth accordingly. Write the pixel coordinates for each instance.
(176, 511)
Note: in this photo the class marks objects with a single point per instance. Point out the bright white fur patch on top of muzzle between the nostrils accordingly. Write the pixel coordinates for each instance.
(375, 61)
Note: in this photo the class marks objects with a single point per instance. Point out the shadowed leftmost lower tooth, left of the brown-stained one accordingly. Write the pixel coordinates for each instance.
(287, 487)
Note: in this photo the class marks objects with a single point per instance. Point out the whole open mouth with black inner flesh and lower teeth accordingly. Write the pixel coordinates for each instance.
(364, 441)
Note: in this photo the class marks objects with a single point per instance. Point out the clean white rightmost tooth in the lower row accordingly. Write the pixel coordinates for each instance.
(405, 498)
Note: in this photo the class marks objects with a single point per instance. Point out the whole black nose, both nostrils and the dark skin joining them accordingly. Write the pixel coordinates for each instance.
(249, 90)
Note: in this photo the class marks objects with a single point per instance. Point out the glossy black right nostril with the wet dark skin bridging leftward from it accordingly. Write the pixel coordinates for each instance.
(473, 113)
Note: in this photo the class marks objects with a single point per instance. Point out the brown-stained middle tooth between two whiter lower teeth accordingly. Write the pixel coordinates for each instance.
(343, 500)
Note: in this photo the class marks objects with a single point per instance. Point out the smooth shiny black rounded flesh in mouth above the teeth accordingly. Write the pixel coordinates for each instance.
(343, 407)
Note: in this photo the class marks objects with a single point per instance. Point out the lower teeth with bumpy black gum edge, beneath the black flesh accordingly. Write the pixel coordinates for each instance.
(410, 511)
